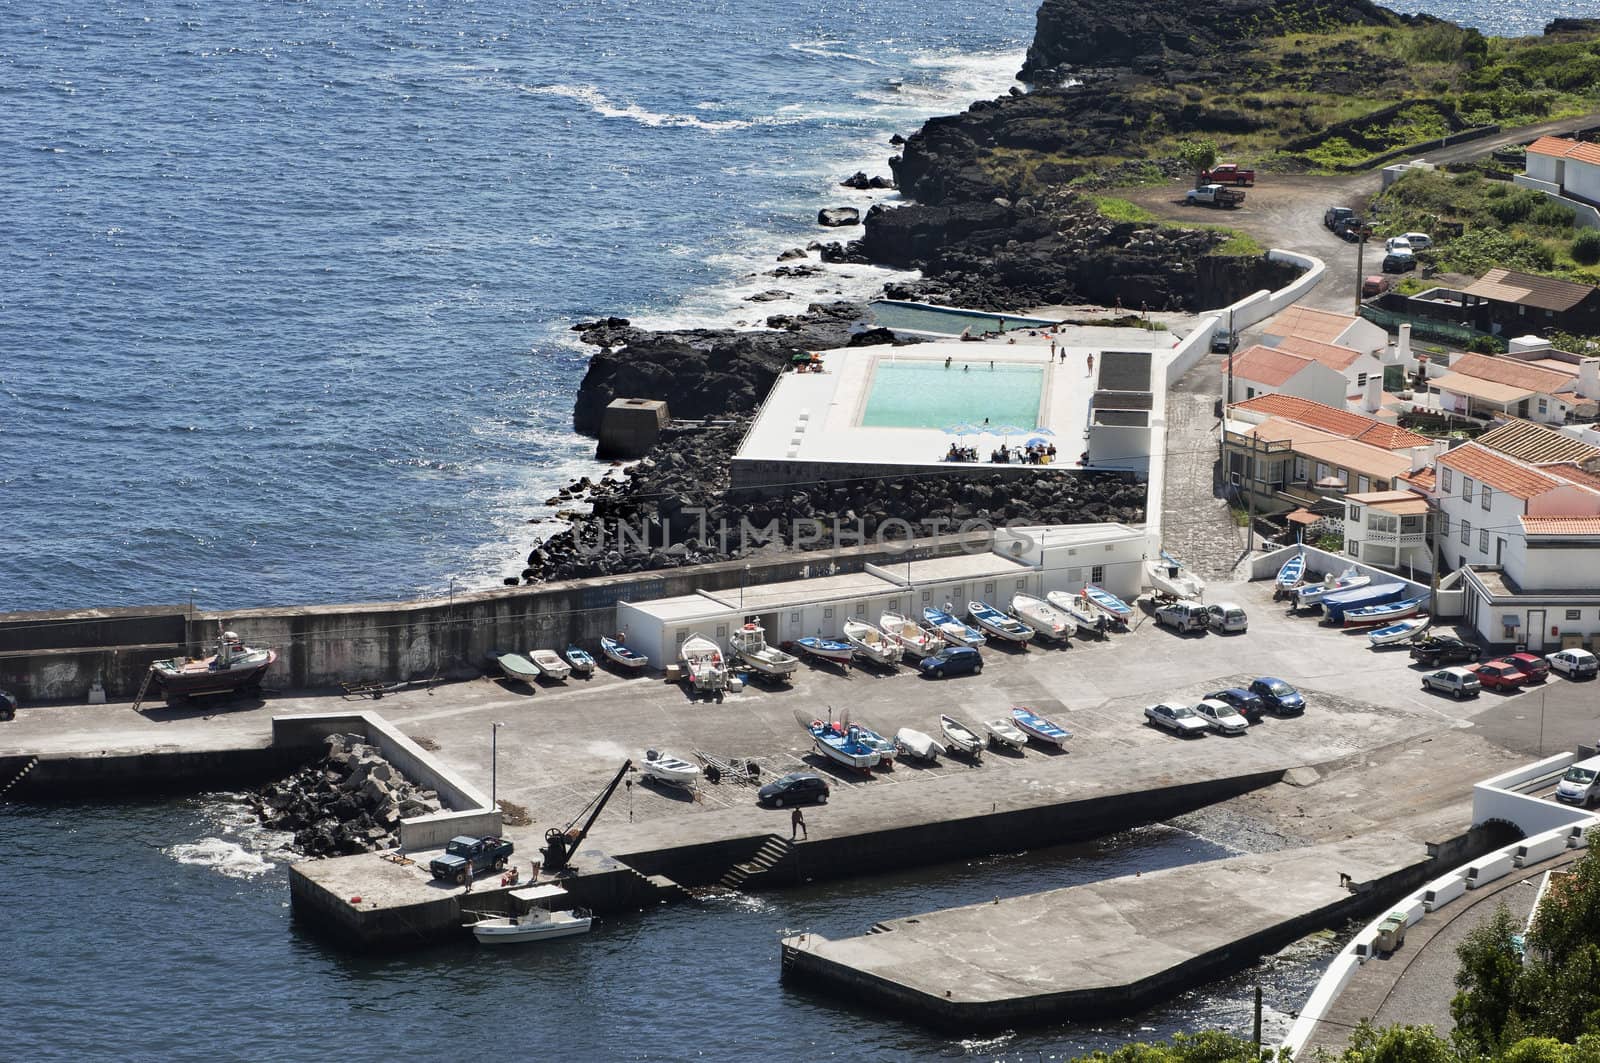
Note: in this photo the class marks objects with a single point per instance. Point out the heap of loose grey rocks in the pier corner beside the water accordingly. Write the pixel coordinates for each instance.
(348, 803)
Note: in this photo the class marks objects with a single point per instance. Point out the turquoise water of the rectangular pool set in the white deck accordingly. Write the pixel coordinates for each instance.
(926, 395)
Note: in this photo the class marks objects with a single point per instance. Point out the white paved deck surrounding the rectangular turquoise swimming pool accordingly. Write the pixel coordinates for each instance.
(817, 417)
